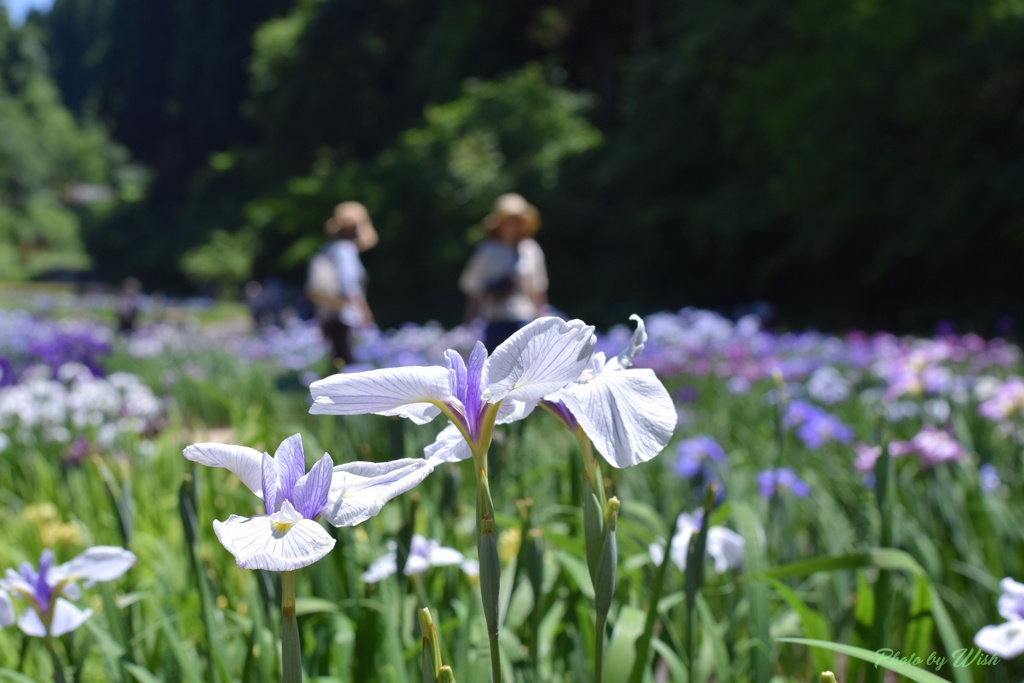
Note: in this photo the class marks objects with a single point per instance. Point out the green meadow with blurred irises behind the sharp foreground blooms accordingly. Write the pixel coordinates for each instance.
(94, 428)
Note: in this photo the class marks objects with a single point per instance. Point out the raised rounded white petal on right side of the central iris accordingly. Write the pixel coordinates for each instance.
(539, 360)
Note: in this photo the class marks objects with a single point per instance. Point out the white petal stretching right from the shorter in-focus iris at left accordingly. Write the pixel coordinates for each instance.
(360, 490)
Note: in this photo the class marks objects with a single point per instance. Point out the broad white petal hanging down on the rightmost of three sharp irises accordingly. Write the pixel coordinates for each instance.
(628, 415)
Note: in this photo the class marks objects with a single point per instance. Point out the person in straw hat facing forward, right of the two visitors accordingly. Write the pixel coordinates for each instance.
(506, 280)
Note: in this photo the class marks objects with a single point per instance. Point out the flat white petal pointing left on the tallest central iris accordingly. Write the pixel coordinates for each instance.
(409, 393)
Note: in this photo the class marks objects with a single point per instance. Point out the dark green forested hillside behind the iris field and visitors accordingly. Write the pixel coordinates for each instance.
(856, 163)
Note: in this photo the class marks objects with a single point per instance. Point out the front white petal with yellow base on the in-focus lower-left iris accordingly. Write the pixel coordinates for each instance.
(260, 543)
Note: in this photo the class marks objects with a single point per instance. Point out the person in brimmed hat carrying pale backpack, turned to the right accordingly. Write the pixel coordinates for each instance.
(337, 281)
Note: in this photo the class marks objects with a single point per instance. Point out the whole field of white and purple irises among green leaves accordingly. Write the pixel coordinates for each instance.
(681, 498)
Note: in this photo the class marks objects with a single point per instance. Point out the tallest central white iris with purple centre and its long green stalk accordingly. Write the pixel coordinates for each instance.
(475, 396)
